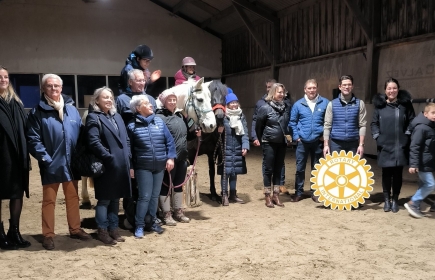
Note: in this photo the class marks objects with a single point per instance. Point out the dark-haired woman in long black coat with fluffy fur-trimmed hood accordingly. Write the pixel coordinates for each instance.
(391, 129)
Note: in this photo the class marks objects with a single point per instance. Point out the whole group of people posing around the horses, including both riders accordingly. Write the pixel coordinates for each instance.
(144, 148)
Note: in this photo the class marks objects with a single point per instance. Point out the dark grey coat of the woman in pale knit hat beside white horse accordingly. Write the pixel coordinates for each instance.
(178, 129)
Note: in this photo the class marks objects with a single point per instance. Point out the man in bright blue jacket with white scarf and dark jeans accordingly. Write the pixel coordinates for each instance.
(306, 122)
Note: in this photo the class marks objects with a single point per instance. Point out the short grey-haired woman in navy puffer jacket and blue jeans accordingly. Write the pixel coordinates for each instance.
(153, 151)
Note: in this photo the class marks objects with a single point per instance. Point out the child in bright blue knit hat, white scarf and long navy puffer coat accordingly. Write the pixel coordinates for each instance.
(236, 148)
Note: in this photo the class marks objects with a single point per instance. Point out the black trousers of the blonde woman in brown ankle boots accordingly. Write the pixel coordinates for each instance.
(273, 158)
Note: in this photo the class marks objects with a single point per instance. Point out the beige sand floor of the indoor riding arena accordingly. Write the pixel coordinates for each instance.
(301, 241)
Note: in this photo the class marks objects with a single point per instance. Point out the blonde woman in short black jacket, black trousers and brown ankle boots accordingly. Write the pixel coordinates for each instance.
(271, 128)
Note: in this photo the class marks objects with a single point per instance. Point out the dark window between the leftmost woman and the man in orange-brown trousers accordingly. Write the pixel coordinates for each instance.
(27, 87)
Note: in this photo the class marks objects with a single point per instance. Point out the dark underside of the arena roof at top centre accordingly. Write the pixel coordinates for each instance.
(221, 17)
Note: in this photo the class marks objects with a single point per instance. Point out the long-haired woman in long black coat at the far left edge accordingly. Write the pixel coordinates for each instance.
(14, 161)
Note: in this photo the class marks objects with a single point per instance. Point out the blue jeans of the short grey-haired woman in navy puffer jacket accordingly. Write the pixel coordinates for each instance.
(149, 184)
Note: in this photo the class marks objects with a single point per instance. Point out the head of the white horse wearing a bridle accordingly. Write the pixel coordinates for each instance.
(199, 106)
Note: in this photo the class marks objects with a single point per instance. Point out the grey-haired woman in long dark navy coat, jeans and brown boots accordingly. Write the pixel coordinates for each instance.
(107, 139)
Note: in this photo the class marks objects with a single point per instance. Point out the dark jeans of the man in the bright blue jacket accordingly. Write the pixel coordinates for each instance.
(303, 150)
